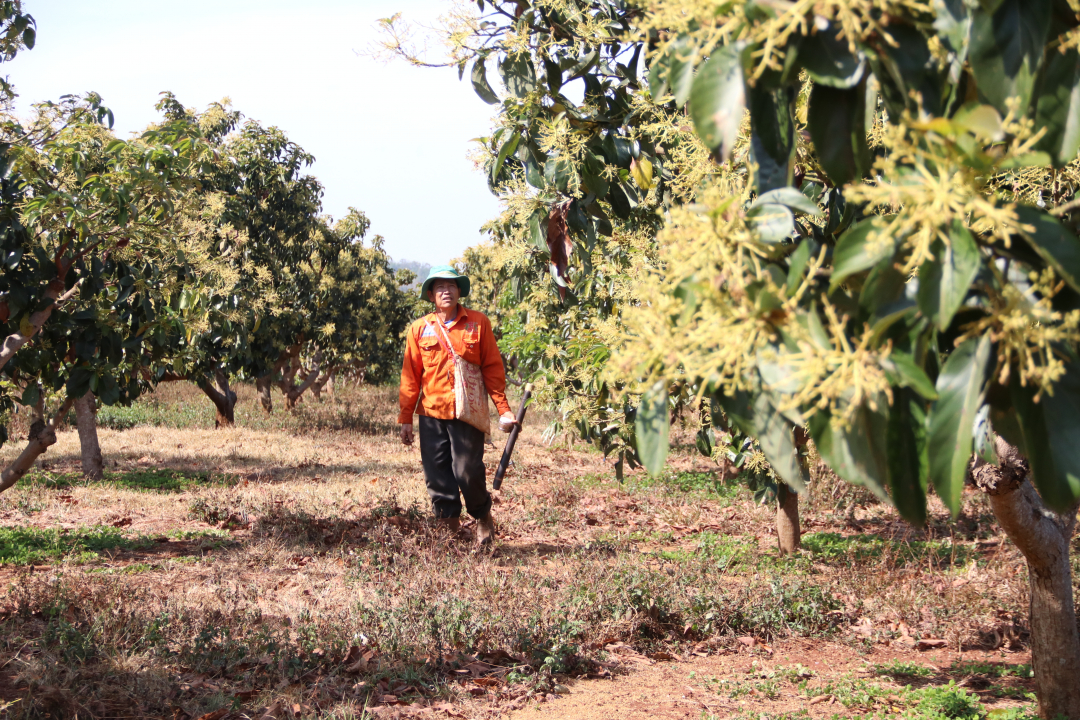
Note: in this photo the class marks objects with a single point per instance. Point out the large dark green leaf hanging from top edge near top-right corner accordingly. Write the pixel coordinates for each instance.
(1006, 50)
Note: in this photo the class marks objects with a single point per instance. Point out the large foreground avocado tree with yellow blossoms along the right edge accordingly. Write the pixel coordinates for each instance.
(898, 274)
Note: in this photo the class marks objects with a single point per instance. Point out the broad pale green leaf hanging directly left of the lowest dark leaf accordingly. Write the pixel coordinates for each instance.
(857, 453)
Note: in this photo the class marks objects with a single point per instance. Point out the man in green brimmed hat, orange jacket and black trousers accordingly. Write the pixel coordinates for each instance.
(452, 451)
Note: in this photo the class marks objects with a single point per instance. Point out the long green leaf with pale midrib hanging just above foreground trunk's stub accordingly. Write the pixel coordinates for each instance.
(952, 420)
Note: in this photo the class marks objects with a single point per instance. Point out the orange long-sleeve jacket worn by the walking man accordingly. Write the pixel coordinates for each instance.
(428, 371)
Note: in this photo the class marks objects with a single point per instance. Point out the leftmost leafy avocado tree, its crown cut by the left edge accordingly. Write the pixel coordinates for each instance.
(83, 220)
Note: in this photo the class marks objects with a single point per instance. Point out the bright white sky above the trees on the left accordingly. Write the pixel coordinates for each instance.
(388, 139)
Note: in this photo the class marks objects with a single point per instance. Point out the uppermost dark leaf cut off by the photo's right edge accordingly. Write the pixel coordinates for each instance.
(1058, 110)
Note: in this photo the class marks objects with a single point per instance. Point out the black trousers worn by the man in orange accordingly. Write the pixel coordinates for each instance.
(453, 456)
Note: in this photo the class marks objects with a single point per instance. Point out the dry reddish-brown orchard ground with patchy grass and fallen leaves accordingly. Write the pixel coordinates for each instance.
(287, 568)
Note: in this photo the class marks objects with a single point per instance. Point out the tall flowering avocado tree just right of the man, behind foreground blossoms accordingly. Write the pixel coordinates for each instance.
(584, 162)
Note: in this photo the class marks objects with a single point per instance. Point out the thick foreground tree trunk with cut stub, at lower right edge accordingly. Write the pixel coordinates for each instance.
(1044, 539)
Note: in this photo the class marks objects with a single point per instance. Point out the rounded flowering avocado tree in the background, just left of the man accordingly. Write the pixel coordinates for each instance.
(299, 296)
